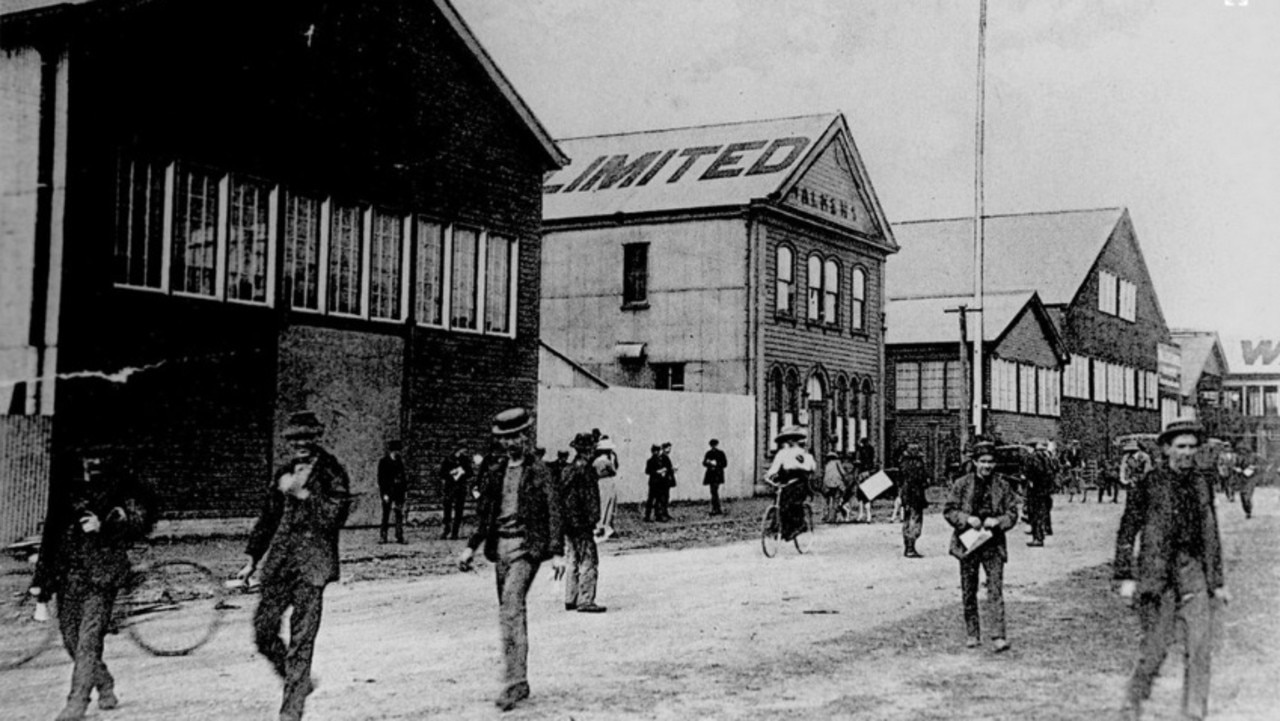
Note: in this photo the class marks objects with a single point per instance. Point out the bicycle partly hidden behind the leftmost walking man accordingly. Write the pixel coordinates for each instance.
(167, 608)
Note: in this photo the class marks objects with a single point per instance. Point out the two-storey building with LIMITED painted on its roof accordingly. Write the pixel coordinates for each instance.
(742, 258)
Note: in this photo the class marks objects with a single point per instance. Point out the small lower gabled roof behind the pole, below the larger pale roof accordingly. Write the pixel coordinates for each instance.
(927, 322)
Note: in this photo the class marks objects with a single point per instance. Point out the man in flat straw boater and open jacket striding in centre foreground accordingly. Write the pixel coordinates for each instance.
(519, 523)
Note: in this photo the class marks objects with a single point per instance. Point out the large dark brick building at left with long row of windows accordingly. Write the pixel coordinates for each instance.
(223, 212)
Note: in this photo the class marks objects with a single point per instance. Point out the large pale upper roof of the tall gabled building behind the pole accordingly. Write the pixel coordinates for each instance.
(1049, 253)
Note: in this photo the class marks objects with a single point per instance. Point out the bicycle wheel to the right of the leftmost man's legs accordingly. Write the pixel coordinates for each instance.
(173, 609)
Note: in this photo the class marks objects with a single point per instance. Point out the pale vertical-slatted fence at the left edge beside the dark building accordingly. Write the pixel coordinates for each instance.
(25, 458)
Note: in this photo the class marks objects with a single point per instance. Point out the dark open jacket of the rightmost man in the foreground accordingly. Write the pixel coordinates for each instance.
(1151, 510)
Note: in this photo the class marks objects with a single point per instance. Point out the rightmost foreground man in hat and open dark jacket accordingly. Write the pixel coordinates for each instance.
(1180, 567)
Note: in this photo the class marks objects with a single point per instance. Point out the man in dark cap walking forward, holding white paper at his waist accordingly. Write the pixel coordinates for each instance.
(982, 509)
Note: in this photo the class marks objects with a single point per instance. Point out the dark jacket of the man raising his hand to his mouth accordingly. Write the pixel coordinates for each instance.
(303, 536)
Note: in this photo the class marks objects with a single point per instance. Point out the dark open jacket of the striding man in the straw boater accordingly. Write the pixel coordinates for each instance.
(538, 509)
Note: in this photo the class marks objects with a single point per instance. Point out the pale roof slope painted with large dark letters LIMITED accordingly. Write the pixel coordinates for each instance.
(682, 168)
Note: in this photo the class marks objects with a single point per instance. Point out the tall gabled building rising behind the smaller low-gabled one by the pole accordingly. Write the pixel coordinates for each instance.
(1089, 271)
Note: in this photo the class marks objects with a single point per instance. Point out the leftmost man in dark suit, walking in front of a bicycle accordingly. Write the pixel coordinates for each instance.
(98, 513)
